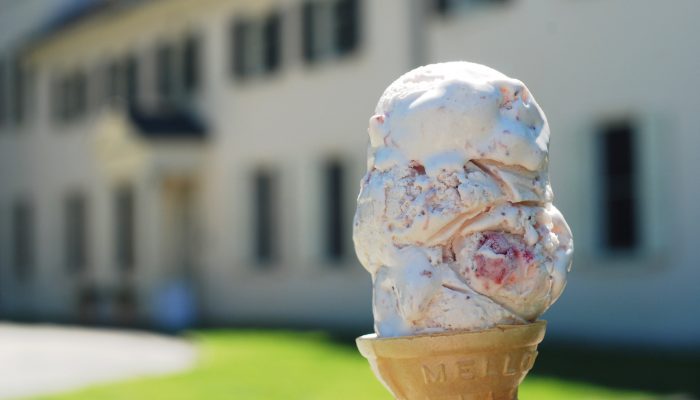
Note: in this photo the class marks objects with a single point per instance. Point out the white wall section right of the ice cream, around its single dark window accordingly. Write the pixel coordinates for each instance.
(587, 62)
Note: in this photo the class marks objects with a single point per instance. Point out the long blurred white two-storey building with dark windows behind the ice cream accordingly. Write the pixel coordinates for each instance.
(215, 148)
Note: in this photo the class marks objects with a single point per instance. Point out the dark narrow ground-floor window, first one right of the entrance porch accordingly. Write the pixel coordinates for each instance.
(264, 224)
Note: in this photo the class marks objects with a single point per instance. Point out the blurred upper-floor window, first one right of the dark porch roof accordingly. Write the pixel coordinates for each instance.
(256, 46)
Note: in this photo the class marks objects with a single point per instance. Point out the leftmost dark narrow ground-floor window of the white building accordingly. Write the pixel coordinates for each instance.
(22, 239)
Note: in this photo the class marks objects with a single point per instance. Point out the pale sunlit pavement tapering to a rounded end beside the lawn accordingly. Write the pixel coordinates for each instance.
(41, 359)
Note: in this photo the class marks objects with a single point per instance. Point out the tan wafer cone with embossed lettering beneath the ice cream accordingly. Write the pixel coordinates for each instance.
(462, 365)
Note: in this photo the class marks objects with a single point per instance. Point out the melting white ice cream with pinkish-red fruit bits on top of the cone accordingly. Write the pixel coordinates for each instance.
(454, 219)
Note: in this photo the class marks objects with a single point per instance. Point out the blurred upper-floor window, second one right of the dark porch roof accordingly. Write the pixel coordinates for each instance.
(330, 28)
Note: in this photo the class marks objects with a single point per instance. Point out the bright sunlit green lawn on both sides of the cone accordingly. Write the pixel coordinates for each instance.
(284, 365)
